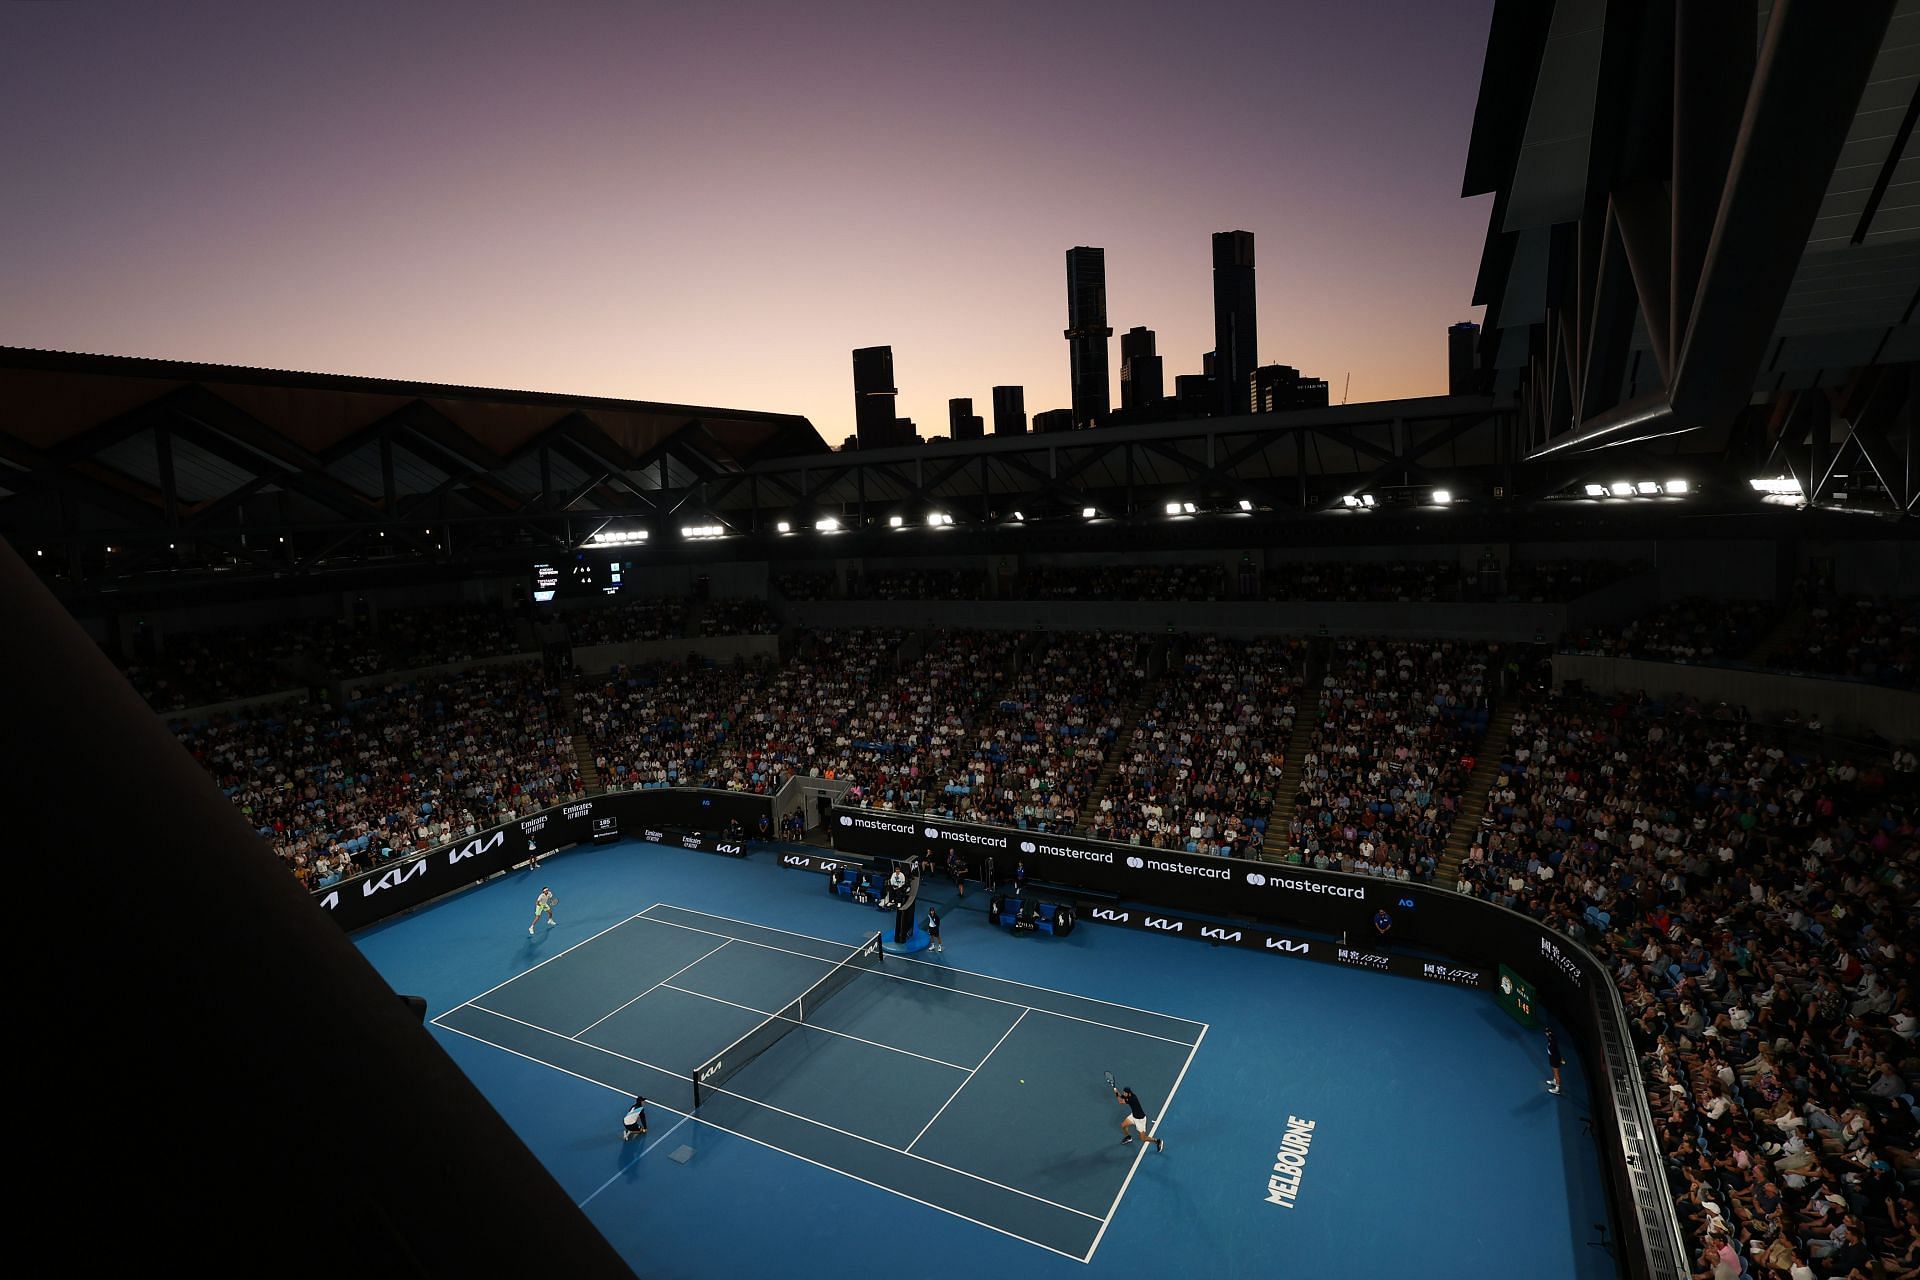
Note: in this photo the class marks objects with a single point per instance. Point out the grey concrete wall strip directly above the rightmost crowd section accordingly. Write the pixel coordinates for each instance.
(1844, 707)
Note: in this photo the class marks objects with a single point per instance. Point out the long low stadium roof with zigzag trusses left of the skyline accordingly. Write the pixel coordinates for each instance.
(178, 437)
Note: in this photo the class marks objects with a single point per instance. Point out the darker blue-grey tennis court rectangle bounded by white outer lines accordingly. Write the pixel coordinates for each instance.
(972, 1095)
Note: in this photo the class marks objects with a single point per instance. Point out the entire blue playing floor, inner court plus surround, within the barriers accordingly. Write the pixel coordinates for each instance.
(948, 1114)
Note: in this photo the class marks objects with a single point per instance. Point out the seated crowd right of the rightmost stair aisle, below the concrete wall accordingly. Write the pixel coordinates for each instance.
(1758, 907)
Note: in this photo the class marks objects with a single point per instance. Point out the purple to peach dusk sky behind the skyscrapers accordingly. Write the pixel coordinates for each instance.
(717, 202)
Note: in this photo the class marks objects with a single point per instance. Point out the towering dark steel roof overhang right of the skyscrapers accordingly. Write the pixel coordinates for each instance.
(1698, 212)
